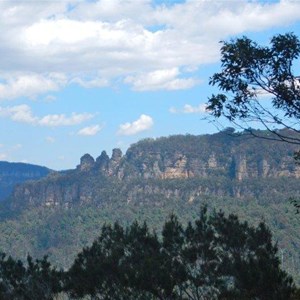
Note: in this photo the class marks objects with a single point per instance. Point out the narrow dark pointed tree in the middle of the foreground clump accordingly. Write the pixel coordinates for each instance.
(202, 260)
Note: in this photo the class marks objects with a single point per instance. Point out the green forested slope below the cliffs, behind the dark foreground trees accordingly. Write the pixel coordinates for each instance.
(61, 233)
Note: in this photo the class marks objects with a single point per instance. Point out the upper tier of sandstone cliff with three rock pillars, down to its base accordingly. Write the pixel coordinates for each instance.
(238, 159)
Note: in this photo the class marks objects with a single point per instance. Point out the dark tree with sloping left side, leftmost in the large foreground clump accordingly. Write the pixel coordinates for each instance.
(96, 271)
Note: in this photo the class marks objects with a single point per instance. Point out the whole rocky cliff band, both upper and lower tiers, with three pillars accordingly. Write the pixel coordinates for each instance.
(149, 164)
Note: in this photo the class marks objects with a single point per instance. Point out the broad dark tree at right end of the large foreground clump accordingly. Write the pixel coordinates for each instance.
(249, 261)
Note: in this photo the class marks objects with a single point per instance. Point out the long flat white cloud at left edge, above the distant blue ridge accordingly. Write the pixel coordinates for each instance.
(23, 113)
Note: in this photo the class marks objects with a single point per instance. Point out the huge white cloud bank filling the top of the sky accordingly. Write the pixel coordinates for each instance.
(137, 41)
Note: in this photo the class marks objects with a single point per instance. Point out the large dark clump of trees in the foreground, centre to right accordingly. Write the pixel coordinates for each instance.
(216, 257)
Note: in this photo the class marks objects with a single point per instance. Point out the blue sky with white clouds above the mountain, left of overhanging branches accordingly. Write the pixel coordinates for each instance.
(83, 76)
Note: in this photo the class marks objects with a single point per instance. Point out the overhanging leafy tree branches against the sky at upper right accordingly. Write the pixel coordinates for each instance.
(251, 72)
